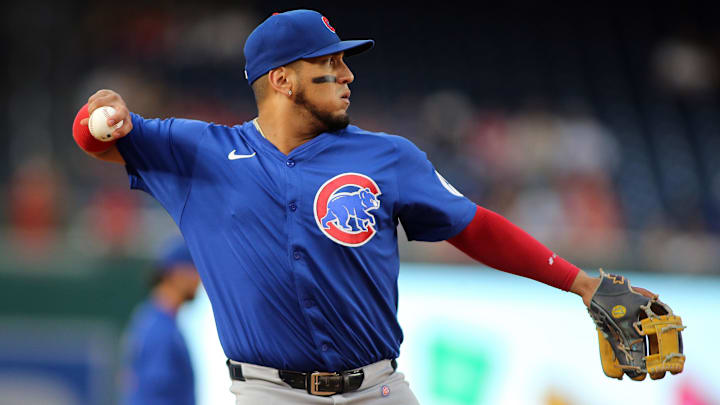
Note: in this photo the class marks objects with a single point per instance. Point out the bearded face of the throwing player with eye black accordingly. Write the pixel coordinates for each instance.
(323, 90)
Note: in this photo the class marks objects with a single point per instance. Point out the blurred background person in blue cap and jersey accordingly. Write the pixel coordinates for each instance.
(157, 367)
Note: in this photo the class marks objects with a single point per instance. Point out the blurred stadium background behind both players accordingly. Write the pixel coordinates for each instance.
(594, 126)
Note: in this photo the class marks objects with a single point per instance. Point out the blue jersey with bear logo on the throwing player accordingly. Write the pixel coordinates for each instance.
(298, 253)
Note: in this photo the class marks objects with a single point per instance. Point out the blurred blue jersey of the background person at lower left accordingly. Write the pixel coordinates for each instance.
(157, 368)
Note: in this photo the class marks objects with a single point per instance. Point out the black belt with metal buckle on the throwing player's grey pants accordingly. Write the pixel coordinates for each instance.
(316, 383)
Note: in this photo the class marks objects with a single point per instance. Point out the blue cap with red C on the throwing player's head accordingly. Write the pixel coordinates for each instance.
(298, 34)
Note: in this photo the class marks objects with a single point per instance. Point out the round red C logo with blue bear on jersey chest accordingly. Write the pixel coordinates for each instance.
(343, 208)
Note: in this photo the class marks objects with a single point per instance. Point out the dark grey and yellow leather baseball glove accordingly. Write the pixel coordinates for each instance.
(638, 335)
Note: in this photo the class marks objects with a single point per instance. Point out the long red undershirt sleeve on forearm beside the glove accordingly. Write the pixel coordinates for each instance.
(496, 242)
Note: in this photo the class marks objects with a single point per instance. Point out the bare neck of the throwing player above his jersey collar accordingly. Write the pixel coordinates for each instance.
(285, 131)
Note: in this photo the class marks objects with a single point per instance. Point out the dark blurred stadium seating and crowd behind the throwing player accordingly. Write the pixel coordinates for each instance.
(595, 128)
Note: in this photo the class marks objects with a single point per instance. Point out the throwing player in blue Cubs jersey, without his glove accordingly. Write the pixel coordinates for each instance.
(291, 219)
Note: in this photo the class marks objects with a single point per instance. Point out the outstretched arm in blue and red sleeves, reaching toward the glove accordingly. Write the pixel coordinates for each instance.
(430, 209)
